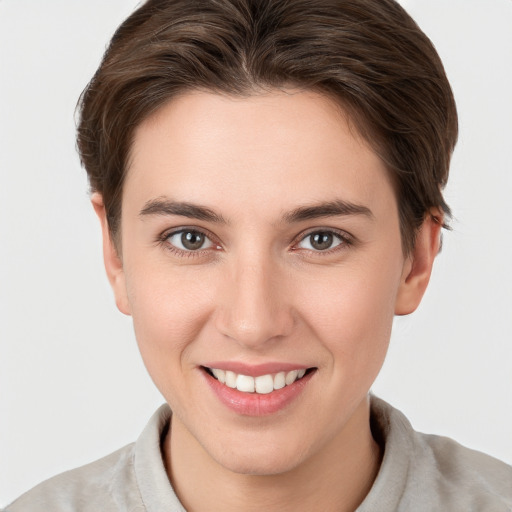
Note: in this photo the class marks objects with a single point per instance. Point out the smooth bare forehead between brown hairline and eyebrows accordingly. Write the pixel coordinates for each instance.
(276, 149)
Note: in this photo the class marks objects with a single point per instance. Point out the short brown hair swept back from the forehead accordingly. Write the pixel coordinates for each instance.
(368, 54)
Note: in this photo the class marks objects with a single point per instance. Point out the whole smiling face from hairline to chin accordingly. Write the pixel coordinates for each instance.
(260, 245)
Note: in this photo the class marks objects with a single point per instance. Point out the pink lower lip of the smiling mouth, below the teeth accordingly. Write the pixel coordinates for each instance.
(256, 404)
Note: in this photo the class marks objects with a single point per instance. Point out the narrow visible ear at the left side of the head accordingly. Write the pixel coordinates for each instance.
(111, 258)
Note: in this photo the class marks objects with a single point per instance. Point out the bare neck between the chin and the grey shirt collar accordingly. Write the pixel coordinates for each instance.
(337, 478)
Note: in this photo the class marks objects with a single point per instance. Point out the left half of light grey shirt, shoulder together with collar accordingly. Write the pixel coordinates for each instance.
(132, 478)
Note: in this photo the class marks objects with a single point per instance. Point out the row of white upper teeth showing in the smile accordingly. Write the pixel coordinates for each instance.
(263, 384)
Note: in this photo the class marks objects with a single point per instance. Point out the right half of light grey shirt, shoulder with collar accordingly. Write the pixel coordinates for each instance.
(429, 472)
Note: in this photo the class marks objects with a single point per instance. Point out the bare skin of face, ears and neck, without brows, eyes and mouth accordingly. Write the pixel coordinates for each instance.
(259, 291)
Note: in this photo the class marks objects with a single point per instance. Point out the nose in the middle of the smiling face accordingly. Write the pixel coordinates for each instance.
(254, 307)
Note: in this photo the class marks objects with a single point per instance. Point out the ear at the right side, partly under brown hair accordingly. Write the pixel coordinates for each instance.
(418, 265)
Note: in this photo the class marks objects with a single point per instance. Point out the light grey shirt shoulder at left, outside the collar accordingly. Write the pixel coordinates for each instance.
(87, 488)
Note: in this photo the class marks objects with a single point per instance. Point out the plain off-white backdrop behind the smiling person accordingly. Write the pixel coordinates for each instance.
(72, 385)
